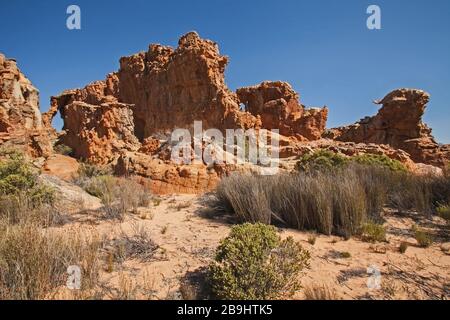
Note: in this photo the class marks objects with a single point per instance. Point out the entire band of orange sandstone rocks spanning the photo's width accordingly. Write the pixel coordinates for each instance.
(126, 120)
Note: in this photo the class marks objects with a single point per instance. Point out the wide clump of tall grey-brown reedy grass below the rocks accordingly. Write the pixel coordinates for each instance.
(332, 200)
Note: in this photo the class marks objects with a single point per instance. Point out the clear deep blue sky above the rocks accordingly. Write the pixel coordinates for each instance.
(321, 47)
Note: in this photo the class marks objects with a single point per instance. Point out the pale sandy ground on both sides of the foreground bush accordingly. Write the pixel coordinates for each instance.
(187, 237)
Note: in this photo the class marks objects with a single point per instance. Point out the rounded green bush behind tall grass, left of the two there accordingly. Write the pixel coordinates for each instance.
(321, 160)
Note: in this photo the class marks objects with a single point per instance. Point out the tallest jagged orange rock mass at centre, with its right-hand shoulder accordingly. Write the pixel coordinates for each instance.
(167, 88)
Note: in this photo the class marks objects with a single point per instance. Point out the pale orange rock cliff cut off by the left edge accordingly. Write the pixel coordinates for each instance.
(21, 124)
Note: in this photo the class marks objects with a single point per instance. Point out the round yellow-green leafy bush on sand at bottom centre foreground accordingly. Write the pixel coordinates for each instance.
(253, 263)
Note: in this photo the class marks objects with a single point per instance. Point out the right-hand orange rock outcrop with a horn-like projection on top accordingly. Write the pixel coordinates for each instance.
(399, 125)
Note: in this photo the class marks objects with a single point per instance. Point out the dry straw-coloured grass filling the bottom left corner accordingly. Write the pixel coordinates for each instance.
(33, 262)
